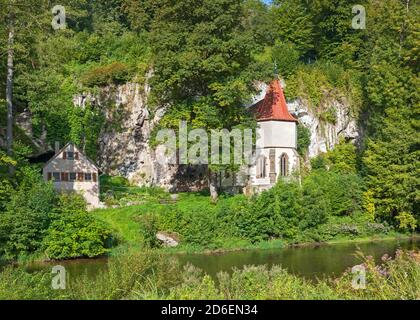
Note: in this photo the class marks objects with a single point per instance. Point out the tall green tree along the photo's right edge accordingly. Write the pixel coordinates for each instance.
(392, 149)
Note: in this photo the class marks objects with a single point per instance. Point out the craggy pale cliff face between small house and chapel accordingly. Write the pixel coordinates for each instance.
(125, 140)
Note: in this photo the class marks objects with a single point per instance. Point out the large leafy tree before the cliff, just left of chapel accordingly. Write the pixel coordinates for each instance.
(203, 64)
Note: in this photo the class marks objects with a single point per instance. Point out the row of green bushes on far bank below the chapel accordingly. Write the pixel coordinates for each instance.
(288, 211)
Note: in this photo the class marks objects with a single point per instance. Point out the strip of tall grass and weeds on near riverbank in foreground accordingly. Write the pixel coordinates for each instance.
(151, 275)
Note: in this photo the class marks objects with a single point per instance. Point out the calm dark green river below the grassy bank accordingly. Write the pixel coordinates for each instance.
(309, 261)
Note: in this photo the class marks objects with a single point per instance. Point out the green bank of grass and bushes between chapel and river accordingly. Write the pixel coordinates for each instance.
(325, 205)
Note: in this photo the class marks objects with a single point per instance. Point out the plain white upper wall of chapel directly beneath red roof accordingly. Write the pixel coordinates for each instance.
(272, 134)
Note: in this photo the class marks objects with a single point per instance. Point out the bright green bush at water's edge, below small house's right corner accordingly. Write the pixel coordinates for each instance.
(74, 232)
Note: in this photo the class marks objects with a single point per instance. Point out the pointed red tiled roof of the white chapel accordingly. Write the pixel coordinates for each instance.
(273, 106)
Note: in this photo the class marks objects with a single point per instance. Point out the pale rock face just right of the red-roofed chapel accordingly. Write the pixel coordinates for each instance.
(324, 134)
